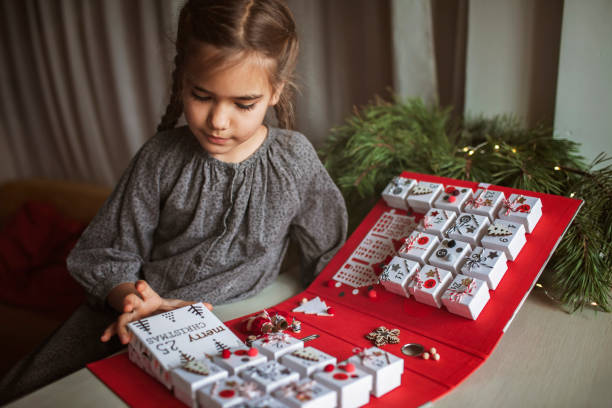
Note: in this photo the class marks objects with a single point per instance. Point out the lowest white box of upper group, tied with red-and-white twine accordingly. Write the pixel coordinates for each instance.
(466, 296)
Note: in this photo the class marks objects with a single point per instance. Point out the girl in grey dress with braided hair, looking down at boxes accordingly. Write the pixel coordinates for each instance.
(203, 212)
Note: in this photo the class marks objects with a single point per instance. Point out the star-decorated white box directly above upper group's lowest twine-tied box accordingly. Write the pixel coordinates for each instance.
(488, 265)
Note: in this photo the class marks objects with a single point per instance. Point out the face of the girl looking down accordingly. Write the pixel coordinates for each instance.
(225, 108)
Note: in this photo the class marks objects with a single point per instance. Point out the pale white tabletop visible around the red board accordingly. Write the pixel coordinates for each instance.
(547, 358)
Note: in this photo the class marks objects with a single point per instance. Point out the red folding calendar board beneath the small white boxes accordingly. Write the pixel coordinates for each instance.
(463, 344)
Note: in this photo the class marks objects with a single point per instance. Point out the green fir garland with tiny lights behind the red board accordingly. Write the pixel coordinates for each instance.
(384, 138)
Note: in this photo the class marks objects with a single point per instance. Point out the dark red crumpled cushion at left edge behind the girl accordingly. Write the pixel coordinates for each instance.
(34, 245)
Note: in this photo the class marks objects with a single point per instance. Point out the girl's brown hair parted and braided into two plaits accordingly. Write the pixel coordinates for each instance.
(234, 26)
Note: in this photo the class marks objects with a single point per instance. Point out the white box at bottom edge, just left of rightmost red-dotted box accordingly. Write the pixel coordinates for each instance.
(307, 393)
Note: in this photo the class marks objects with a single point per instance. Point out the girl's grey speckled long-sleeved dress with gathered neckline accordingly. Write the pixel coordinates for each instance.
(194, 228)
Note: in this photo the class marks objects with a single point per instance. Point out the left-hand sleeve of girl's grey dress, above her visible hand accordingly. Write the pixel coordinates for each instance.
(119, 239)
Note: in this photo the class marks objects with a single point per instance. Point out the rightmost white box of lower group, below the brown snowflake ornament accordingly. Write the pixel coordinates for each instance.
(385, 368)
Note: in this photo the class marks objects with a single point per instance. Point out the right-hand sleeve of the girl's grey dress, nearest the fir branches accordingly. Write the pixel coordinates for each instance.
(320, 226)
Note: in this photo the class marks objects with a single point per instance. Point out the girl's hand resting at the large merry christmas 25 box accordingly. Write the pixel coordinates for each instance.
(138, 304)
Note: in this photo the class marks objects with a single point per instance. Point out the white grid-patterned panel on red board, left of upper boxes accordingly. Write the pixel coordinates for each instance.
(375, 248)
